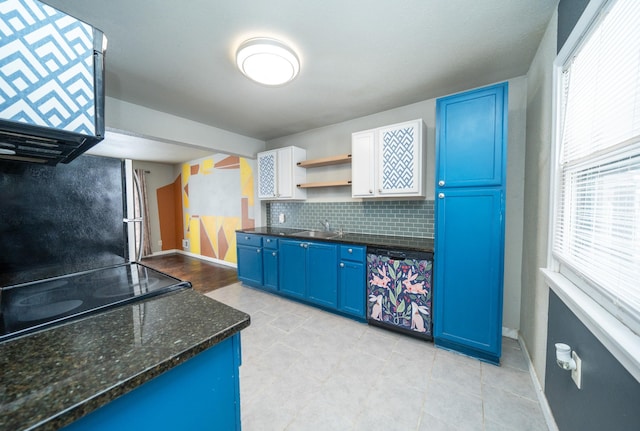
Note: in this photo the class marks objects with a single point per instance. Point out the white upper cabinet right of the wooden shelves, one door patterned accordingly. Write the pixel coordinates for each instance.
(389, 161)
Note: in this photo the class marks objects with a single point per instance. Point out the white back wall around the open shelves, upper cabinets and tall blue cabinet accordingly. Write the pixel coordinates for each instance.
(336, 139)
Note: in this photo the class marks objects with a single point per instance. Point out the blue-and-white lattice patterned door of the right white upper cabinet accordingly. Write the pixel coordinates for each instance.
(400, 161)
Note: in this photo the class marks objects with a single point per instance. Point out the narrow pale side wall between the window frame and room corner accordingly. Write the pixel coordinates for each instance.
(535, 294)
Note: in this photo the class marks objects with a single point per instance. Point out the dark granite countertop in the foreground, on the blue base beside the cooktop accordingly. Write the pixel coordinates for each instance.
(53, 377)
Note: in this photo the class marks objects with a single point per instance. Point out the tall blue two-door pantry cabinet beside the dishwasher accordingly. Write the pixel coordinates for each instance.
(469, 239)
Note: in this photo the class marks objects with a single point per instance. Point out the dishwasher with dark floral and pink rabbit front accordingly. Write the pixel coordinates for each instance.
(399, 291)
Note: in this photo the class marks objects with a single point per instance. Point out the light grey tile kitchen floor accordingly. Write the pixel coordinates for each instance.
(306, 369)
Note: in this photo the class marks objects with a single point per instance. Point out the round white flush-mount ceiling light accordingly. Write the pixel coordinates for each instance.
(267, 61)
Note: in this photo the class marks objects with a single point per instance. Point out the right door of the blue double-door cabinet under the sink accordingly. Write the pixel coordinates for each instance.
(322, 274)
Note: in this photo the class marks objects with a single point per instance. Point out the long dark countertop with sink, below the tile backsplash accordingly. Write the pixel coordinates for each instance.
(399, 242)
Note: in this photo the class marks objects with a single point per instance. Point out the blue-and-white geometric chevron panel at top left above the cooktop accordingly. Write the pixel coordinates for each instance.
(46, 67)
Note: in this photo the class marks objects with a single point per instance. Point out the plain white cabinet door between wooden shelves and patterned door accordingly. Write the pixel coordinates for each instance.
(363, 164)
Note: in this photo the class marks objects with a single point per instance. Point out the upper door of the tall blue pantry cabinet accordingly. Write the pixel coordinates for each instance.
(473, 127)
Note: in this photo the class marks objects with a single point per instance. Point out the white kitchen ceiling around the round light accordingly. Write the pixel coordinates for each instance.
(357, 57)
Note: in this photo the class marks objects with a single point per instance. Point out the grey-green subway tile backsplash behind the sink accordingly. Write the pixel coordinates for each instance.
(398, 218)
